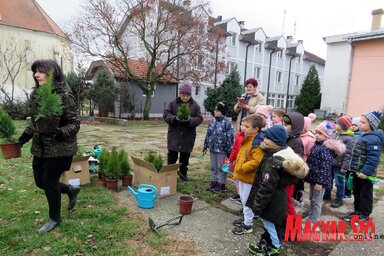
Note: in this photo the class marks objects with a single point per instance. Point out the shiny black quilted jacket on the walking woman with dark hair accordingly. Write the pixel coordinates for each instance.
(60, 144)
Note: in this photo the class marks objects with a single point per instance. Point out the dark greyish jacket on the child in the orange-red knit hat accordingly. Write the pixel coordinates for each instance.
(343, 161)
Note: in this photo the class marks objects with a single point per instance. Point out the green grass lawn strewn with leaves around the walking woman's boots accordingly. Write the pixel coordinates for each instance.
(99, 225)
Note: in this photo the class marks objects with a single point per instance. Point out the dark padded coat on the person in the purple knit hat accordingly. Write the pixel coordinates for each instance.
(181, 136)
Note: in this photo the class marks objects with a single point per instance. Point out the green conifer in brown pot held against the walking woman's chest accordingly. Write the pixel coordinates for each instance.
(50, 107)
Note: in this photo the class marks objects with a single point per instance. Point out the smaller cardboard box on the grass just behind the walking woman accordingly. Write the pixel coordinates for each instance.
(78, 174)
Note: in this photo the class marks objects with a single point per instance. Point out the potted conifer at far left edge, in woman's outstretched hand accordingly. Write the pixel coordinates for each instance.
(10, 147)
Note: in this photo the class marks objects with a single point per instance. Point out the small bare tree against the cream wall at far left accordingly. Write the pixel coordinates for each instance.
(14, 59)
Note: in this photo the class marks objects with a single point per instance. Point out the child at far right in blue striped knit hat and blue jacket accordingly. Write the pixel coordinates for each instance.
(365, 158)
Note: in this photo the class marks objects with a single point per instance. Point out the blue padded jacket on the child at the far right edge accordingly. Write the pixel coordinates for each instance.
(366, 153)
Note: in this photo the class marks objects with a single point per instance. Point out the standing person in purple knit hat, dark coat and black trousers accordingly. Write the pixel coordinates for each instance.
(182, 132)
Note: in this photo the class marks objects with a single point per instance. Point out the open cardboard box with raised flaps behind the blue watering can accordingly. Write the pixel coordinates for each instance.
(165, 180)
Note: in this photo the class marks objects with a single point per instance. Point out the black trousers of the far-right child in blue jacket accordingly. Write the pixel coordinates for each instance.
(363, 194)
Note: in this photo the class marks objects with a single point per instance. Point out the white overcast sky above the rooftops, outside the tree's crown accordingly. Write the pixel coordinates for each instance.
(314, 19)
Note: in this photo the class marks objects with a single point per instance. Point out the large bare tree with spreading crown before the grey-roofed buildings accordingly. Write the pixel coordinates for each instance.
(172, 38)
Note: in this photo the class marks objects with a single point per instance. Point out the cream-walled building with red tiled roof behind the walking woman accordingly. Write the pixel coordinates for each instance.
(27, 33)
